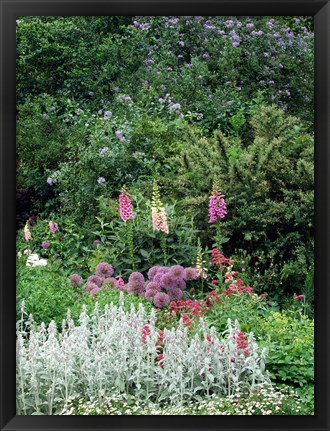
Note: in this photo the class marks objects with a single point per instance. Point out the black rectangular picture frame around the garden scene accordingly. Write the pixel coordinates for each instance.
(9, 10)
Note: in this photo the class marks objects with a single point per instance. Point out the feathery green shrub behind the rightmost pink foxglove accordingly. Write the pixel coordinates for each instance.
(268, 183)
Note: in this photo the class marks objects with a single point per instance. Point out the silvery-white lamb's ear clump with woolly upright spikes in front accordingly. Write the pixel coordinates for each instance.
(115, 351)
